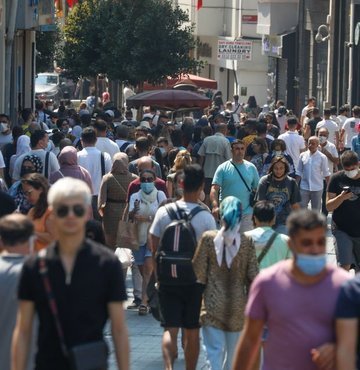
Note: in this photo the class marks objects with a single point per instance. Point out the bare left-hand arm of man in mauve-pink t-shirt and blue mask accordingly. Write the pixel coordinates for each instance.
(248, 345)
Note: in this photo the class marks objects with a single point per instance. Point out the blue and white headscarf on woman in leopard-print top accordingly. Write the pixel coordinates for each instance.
(228, 236)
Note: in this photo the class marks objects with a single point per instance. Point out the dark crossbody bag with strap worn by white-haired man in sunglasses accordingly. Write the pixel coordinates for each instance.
(87, 356)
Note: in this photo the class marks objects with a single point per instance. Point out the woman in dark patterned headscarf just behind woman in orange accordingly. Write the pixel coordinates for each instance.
(31, 164)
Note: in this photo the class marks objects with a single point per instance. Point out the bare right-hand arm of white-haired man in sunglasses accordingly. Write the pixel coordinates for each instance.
(120, 334)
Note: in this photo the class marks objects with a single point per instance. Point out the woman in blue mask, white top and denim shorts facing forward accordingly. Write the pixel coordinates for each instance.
(142, 208)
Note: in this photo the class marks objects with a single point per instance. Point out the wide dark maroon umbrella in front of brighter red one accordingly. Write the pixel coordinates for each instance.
(169, 99)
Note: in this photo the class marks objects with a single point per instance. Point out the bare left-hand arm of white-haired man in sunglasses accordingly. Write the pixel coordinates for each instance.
(22, 335)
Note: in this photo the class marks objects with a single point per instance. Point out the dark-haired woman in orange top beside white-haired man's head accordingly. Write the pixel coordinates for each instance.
(35, 187)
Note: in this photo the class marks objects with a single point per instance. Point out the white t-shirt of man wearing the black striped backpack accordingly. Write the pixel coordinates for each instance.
(202, 222)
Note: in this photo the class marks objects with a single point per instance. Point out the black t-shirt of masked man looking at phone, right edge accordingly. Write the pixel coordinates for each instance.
(346, 215)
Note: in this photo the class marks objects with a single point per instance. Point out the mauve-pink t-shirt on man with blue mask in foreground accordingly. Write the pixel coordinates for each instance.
(299, 317)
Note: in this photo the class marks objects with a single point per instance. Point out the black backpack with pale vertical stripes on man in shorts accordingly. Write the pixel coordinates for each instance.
(177, 247)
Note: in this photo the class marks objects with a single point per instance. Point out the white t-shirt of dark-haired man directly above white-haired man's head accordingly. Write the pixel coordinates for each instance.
(90, 159)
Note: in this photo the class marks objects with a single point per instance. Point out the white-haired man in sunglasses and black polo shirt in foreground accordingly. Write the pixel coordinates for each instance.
(74, 286)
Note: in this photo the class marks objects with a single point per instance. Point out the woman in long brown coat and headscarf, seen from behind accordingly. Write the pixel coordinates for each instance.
(112, 196)
